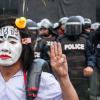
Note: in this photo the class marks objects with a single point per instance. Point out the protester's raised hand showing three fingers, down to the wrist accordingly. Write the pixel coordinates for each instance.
(58, 60)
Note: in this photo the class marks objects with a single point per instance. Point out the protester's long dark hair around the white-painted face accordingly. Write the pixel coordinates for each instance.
(27, 54)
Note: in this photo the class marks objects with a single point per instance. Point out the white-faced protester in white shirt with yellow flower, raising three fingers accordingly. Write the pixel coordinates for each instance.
(16, 58)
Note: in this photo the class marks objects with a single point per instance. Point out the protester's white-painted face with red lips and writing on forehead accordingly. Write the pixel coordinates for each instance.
(10, 45)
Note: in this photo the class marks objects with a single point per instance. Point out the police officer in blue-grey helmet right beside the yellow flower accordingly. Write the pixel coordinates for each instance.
(37, 42)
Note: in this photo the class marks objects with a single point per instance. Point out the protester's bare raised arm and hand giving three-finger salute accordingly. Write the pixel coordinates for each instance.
(60, 68)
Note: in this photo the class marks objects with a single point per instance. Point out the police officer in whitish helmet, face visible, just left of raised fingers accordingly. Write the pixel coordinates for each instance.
(47, 34)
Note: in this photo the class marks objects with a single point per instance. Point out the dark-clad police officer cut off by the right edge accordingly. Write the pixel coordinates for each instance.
(95, 81)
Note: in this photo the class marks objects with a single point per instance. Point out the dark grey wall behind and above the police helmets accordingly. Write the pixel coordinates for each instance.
(52, 9)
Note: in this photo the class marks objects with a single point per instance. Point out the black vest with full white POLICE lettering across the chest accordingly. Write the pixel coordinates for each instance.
(75, 53)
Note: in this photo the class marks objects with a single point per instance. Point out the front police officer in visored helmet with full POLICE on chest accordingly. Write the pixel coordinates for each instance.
(76, 50)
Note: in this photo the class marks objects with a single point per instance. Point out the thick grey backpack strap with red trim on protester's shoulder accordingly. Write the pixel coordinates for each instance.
(33, 77)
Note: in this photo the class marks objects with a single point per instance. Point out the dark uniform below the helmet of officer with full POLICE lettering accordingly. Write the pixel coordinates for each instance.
(75, 52)
